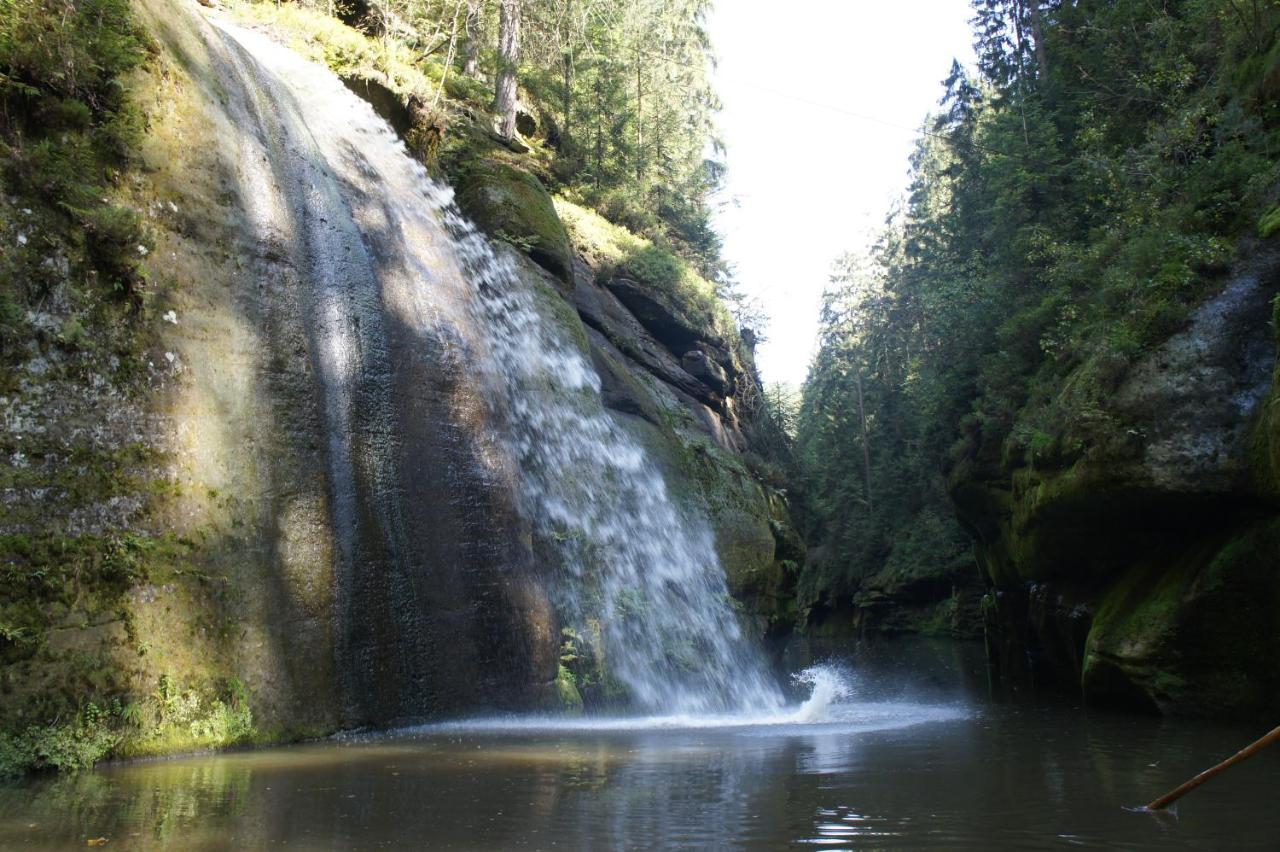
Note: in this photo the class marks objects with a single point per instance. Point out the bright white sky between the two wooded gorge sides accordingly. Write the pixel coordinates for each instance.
(812, 184)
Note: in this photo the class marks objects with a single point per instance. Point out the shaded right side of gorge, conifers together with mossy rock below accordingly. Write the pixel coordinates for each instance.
(1109, 171)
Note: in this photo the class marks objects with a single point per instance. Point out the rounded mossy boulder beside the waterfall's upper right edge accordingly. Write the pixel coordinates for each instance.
(513, 205)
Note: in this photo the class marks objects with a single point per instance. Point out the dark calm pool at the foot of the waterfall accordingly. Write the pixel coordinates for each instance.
(989, 777)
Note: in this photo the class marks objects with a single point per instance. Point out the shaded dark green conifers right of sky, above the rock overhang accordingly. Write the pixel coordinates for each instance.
(1067, 213)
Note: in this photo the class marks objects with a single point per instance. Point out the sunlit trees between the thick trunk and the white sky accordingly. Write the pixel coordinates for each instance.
(627, 86)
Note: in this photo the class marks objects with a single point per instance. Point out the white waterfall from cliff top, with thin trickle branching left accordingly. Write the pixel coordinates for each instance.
(636, 569)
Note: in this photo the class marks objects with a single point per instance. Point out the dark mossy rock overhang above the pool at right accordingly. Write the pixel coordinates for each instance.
(1142, 569)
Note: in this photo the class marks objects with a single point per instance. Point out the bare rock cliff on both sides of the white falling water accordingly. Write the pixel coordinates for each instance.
(314, 512)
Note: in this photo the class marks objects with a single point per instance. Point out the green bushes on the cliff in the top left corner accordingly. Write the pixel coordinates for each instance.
(66, 131)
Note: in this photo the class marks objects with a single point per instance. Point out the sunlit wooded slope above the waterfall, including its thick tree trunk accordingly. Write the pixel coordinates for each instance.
(615, 94)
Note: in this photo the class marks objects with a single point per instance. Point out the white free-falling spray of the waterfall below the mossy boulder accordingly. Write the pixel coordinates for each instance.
(650, 570)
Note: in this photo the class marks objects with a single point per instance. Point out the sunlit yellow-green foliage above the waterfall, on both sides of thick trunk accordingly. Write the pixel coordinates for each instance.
(620, 90)
